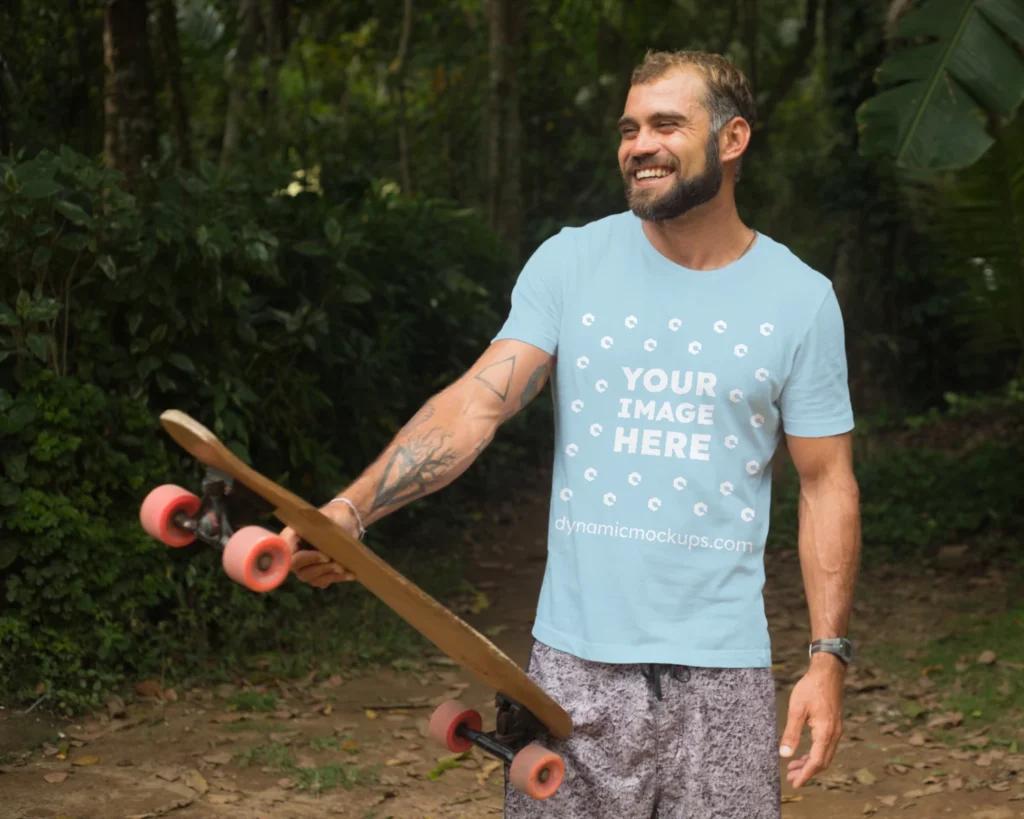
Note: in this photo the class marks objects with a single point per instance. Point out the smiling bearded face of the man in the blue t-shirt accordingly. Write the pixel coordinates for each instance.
(668, 157)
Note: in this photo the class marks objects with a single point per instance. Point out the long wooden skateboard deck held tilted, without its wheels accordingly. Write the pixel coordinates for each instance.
(451, 634)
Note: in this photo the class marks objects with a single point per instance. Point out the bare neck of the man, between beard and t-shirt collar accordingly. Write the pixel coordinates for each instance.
(707, 238)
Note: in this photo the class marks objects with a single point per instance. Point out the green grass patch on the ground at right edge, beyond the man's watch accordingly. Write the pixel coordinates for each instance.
(985, 694)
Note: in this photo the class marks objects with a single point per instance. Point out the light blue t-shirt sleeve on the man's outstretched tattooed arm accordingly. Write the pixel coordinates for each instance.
(536, 315)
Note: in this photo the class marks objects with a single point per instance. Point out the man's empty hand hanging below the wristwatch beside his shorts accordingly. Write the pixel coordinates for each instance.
(818, 702)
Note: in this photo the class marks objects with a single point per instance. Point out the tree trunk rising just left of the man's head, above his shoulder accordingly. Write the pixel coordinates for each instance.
(507, 25)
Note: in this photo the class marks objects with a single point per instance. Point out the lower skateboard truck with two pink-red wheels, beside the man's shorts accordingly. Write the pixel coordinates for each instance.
(533, 768)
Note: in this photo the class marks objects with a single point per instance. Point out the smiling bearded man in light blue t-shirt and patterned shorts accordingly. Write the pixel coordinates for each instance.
(681, 347)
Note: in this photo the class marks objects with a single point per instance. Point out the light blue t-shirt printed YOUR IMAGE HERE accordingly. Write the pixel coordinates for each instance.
(672, 391)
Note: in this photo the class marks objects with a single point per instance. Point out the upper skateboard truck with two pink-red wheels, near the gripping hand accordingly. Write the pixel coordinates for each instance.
(251, 555)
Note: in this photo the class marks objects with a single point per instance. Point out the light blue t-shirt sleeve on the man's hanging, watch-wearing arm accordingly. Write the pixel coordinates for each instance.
(816, 401)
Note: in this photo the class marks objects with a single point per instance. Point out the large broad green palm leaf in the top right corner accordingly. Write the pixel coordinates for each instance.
(966, 64)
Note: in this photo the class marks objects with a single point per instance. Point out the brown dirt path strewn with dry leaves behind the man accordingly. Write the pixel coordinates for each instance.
(355, 748)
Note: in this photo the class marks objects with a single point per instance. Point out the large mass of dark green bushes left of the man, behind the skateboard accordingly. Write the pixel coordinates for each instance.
(114, 309)
